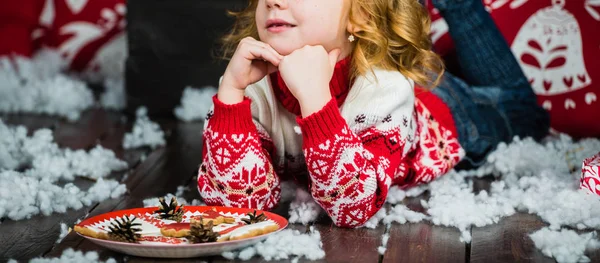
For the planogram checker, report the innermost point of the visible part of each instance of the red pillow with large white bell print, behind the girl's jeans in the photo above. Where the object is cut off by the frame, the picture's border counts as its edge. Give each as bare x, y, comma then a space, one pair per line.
557, 44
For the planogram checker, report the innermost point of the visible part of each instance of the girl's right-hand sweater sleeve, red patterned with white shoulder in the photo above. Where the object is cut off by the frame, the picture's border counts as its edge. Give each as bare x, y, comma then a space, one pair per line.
352, 166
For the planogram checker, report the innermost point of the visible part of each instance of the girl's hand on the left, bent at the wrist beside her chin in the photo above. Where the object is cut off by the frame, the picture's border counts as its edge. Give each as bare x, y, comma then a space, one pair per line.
251, 62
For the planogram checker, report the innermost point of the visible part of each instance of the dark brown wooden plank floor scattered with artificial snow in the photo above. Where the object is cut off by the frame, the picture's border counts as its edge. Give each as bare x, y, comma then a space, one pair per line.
156, 173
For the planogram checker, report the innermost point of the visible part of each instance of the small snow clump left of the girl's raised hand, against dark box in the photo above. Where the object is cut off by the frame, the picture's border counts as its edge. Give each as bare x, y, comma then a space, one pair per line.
195, 103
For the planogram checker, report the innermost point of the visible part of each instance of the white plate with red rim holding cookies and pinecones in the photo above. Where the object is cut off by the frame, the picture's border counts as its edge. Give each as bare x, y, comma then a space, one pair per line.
154, 244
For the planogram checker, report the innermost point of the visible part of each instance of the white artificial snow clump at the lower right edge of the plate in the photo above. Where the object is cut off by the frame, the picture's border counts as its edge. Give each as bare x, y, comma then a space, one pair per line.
285, 244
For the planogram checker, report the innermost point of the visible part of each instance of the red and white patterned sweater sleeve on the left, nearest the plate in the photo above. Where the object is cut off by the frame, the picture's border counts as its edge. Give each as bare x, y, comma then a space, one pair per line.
236, 170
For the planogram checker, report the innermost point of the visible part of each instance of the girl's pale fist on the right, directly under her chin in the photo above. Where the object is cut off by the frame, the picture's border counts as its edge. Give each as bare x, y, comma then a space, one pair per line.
307, 73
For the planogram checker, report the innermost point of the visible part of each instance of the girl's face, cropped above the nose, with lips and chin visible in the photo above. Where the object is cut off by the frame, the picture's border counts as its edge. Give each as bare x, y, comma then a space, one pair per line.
288, 25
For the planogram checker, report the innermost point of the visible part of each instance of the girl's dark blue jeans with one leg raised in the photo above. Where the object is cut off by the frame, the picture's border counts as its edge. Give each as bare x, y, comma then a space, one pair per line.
494, 102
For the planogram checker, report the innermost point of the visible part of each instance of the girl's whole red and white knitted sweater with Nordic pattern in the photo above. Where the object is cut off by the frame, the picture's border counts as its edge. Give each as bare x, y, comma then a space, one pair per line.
366, 139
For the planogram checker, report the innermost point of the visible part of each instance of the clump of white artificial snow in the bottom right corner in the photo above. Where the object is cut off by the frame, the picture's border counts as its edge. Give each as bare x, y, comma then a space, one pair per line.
565, 245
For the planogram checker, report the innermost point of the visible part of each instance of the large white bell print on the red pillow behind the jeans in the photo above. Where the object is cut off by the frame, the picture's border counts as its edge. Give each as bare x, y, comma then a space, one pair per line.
549, 47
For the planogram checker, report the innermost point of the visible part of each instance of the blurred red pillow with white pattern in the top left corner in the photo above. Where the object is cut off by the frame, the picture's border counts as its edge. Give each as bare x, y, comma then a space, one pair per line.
85, 32
